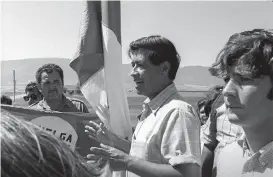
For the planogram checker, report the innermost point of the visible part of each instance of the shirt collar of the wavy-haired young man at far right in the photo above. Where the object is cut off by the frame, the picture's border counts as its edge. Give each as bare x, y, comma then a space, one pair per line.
265, 153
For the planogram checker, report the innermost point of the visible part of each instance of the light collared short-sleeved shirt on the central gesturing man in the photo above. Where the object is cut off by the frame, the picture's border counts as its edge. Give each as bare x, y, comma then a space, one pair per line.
168, 131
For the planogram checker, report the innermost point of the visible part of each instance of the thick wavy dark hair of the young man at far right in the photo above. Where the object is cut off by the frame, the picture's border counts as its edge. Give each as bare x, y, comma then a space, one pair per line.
250, 52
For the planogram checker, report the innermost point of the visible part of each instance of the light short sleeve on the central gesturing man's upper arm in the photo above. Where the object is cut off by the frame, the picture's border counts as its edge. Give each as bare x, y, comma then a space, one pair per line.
181, 138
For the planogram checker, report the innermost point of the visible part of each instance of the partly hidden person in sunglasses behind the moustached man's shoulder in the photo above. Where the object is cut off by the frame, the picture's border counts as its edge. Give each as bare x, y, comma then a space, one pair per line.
33, 94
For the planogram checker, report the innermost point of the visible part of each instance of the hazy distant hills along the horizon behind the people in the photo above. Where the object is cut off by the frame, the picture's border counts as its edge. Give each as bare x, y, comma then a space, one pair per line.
188, 78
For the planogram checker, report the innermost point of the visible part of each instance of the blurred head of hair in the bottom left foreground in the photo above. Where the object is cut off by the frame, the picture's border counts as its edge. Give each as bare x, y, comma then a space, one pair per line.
28, 151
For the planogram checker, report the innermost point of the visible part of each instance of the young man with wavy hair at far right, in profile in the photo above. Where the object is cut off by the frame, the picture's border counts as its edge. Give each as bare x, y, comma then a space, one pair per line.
247, 58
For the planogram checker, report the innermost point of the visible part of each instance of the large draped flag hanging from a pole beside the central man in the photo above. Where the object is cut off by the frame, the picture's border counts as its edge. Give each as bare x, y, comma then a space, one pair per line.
98, 63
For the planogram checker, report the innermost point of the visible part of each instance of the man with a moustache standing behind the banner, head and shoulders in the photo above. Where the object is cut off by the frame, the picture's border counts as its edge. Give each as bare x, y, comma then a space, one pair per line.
50, 80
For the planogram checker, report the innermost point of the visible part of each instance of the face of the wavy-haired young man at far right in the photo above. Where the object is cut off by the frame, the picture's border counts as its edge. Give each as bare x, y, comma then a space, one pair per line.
247, 101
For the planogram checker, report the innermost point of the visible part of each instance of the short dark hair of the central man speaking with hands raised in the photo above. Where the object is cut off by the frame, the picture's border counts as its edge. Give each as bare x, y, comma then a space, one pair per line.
158, 50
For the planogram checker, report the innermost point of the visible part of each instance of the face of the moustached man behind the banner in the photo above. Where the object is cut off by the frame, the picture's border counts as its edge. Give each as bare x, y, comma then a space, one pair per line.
51, 86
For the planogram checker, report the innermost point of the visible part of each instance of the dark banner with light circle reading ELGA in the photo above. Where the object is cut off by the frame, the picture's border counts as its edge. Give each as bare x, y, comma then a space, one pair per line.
69, 127
